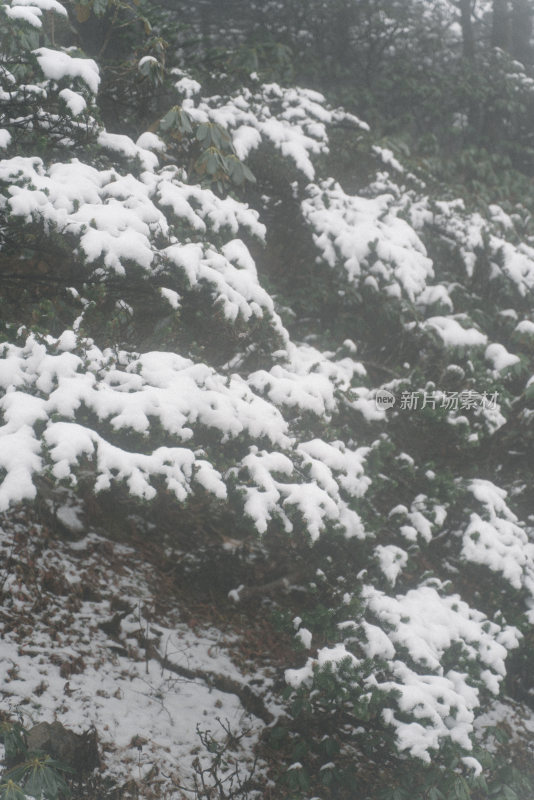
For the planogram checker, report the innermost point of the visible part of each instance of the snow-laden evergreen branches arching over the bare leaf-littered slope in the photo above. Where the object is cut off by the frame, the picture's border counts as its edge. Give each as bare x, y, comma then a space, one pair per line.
164, 368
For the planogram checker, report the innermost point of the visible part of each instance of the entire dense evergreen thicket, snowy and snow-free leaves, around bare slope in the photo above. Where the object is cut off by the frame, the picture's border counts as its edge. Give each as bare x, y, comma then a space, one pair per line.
208, 314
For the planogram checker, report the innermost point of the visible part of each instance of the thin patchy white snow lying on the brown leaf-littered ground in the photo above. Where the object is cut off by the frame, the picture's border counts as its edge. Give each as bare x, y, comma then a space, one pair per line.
83, 682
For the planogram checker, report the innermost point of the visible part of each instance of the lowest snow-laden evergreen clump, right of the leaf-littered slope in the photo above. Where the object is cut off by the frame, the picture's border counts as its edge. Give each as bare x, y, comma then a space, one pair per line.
418, 629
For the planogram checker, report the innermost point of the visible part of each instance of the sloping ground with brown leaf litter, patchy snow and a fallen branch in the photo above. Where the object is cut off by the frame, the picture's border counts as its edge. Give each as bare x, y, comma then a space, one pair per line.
97, 635
